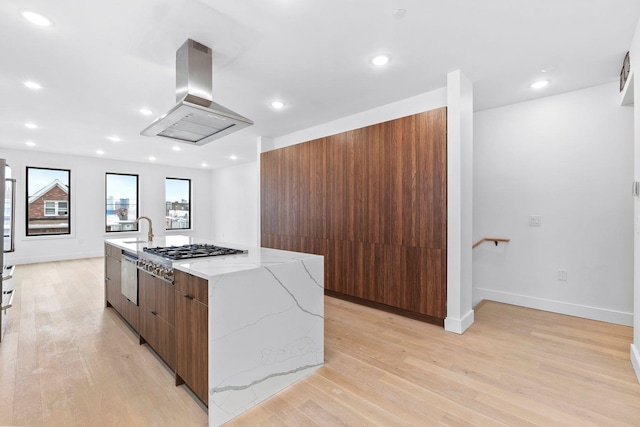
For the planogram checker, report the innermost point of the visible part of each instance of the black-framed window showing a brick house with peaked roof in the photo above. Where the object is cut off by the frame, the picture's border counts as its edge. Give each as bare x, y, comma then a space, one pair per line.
48, 199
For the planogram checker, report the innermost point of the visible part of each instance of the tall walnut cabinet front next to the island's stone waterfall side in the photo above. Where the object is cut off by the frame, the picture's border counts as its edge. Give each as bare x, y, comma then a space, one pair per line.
192, 328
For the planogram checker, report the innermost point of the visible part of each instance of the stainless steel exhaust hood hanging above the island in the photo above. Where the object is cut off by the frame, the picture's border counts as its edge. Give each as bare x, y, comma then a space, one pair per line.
195, 119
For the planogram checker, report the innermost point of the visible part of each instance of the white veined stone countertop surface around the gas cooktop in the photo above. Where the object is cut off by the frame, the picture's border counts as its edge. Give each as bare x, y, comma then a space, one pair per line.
210, 267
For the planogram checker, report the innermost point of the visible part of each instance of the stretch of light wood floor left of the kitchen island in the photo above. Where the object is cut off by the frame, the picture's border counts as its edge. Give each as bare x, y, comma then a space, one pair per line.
66, 360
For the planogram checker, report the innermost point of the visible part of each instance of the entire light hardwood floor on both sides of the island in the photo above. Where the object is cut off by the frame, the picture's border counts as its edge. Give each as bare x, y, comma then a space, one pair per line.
66, 360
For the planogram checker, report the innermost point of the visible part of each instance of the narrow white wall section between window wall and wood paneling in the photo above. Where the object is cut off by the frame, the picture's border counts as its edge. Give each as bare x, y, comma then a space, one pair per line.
234, 207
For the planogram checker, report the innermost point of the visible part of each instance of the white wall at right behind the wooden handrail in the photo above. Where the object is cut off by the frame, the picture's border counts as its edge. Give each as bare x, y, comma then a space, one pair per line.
569, 159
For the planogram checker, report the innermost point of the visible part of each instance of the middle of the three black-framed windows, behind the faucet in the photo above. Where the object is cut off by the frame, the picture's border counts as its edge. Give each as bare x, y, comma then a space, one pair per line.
121, 191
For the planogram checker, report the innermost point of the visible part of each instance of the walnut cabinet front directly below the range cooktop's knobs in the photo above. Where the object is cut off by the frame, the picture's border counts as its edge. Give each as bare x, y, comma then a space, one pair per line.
156, 298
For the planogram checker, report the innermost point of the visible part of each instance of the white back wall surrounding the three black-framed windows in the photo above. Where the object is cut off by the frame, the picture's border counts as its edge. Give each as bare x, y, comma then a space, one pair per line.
88, 203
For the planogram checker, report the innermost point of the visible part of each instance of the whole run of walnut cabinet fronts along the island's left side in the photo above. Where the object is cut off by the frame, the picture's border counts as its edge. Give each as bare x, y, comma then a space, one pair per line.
172, 318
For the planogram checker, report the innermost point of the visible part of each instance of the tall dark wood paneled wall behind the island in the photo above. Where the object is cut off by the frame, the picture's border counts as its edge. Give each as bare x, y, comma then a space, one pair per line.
373, 201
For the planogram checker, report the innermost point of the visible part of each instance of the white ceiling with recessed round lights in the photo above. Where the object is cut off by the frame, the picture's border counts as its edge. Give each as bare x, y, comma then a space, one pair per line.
102, 61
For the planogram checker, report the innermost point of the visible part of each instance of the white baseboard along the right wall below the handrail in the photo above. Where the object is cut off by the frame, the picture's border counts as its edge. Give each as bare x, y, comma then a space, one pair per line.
593, 313
